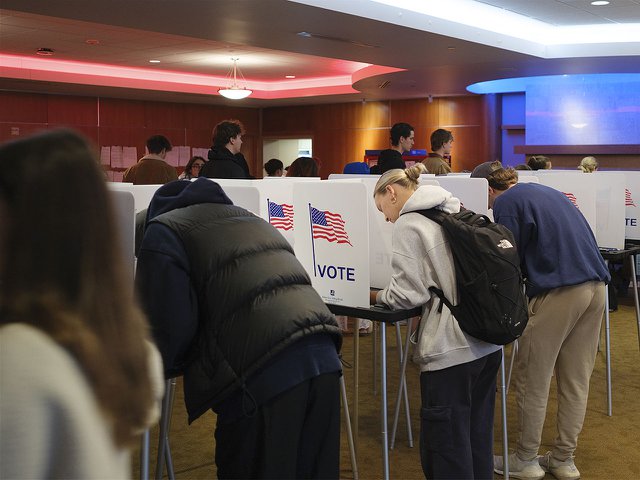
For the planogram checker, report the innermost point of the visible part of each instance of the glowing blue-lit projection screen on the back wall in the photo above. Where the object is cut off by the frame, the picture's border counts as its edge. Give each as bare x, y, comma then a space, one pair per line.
563, 113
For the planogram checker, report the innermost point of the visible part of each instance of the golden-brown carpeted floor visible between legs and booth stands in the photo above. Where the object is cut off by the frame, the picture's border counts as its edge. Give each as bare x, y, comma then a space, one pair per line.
609, 446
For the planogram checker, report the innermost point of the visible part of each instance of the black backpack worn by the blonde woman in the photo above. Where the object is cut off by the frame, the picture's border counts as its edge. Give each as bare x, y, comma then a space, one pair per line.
493, 305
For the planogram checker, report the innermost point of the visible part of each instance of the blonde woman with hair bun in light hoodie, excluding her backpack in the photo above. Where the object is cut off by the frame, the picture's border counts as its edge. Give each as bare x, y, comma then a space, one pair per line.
458, 372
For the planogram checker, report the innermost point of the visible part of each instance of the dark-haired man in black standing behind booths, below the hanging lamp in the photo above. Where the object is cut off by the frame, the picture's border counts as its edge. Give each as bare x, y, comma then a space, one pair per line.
225, 159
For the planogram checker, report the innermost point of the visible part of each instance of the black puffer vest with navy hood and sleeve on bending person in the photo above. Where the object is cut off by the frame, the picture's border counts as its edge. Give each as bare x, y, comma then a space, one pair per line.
253, 297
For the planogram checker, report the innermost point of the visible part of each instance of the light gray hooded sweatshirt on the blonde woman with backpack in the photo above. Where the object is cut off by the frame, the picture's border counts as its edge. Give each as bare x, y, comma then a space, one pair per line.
421, 259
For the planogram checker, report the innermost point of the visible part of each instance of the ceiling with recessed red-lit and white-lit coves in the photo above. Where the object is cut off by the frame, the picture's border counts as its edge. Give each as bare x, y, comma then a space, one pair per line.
350, 49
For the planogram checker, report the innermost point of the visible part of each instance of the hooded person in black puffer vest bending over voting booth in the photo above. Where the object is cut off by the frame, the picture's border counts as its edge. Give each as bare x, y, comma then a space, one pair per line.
233, 310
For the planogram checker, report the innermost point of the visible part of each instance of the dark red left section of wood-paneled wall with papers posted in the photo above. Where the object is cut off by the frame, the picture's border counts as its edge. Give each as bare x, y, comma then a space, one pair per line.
110, 121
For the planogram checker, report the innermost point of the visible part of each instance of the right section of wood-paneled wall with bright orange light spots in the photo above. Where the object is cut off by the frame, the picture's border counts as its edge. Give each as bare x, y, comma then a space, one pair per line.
342, 132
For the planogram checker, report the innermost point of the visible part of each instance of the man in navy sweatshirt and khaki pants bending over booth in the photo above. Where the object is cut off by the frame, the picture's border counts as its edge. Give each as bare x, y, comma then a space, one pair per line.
565, 278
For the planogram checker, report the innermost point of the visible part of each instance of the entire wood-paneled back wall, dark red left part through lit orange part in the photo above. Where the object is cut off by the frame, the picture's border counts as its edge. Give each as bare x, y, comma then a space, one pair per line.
340, 132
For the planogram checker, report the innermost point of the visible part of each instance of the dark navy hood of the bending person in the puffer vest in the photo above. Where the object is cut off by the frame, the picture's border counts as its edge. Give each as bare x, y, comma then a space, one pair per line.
183, 193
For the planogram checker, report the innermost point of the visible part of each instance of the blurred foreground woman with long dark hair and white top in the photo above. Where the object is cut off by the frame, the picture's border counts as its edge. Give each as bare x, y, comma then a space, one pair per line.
76, 368
